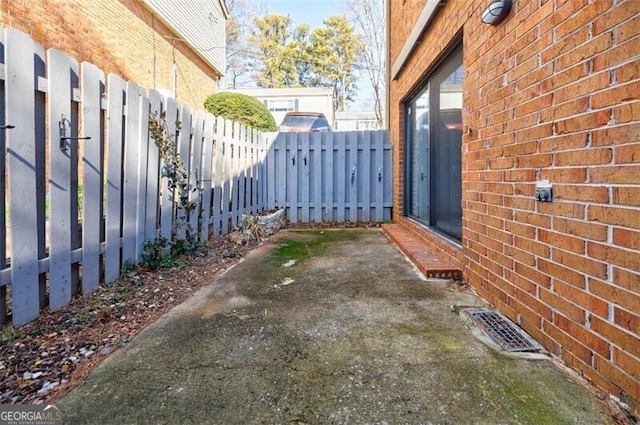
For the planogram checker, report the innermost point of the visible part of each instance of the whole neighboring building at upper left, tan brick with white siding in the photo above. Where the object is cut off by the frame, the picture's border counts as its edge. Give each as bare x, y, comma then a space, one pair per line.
175, 47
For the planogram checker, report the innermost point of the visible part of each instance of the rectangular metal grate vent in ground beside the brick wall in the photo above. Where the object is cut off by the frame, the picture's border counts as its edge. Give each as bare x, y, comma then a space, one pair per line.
503, 331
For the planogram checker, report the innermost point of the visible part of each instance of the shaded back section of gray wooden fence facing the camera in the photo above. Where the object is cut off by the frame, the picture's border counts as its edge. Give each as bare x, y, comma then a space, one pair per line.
335, 176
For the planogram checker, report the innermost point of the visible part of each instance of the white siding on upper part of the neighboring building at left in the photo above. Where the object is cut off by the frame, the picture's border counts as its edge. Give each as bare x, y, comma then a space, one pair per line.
200, 23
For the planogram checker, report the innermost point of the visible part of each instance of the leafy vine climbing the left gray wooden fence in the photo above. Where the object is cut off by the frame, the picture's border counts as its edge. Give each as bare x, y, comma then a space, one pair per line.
161, 252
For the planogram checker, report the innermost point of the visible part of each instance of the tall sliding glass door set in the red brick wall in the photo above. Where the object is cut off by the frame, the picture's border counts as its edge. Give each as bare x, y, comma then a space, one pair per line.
433, 142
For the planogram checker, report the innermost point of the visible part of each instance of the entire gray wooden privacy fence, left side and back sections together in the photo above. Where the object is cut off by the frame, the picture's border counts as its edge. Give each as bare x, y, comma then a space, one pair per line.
82, 184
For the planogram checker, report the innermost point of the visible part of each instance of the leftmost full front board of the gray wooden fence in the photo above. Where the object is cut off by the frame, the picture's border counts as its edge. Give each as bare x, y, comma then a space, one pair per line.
21, 167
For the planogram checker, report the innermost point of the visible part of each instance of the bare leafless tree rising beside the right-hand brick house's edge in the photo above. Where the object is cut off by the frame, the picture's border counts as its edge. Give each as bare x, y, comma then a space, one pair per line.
368, 18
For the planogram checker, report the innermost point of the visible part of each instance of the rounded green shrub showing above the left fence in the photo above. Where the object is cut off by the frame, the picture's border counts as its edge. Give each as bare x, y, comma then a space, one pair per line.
241, 108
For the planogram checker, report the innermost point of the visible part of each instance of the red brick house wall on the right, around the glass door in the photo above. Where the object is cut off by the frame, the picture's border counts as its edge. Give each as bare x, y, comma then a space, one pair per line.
553, 92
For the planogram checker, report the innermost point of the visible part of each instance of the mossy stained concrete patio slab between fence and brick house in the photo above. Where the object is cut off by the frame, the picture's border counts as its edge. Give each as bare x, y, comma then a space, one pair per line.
355, 336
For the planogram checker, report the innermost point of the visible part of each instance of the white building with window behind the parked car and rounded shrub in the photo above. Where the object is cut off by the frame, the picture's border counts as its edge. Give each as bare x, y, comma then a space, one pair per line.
279, 101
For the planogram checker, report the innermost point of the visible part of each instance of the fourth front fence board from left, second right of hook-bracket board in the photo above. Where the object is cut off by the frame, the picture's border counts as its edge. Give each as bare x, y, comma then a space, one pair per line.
114, 186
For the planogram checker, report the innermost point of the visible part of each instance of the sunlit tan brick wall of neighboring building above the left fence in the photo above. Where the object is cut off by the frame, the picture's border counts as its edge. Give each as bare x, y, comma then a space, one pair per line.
119, 36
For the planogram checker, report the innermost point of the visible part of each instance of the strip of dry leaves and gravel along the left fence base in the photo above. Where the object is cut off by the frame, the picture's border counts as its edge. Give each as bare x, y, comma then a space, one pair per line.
46, 358
